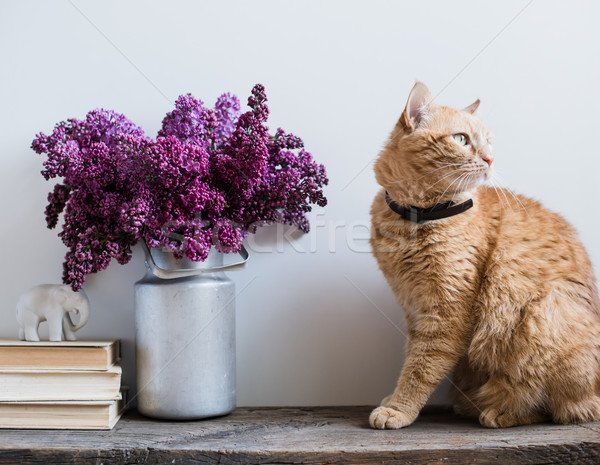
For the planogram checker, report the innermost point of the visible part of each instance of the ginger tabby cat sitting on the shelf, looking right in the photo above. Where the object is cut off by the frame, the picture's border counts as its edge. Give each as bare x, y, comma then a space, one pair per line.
501, 295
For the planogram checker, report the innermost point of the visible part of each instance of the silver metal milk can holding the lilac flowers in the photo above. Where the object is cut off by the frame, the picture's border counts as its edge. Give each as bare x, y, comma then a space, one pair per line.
185, 337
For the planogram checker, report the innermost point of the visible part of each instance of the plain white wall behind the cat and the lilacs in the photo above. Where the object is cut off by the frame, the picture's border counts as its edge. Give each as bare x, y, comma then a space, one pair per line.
316, 323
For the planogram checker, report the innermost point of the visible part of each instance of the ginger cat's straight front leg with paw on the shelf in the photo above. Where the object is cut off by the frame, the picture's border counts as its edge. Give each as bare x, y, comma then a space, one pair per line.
432, 354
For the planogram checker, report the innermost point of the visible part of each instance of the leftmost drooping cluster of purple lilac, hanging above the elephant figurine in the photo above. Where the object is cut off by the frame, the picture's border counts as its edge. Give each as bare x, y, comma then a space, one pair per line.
95, 185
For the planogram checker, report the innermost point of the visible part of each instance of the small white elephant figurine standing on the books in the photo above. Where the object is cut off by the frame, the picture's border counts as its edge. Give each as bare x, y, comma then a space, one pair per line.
52, 303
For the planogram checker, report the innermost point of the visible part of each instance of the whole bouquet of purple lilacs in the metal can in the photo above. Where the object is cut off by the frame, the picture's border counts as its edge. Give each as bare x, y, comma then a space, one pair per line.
211, 177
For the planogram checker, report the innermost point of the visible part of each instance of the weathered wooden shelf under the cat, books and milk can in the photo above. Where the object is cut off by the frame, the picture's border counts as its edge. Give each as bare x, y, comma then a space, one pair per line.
332, 435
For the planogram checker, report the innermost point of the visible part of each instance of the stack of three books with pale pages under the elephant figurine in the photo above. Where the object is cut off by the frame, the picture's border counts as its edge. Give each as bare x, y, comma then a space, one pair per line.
60, 385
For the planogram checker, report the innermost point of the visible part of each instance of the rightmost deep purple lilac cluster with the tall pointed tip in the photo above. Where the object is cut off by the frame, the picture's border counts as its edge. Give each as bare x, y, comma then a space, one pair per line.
265, 181
